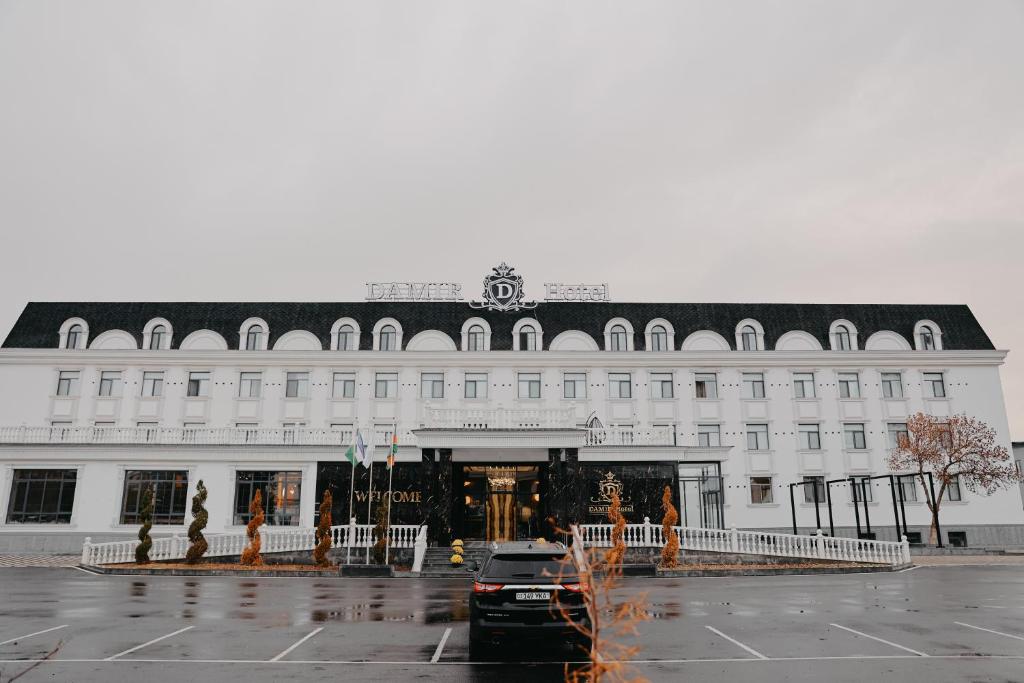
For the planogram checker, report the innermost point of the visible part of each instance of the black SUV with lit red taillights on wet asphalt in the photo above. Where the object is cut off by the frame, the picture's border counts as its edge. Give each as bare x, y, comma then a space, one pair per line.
517, 594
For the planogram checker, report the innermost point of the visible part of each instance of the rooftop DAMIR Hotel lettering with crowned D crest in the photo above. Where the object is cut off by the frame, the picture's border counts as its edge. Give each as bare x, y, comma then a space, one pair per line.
503, 291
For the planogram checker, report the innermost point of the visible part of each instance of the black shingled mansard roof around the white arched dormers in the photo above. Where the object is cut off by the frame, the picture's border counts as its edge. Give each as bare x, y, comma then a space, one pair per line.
39, 324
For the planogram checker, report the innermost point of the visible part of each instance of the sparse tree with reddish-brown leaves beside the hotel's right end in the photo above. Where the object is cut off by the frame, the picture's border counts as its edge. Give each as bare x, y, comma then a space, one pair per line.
958, 450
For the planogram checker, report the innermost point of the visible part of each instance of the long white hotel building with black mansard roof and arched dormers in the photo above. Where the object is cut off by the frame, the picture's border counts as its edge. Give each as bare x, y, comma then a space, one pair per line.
509, 423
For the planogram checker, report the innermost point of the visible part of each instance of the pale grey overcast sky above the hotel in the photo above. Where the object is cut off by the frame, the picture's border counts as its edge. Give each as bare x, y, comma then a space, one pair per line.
823, 152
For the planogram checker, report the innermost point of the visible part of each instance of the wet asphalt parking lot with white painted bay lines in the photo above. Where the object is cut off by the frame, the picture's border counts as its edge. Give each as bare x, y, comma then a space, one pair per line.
930, 624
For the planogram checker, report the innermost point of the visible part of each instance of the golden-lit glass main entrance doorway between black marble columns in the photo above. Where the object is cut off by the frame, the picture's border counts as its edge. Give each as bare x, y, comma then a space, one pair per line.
501, 502
